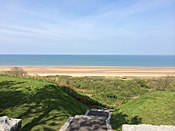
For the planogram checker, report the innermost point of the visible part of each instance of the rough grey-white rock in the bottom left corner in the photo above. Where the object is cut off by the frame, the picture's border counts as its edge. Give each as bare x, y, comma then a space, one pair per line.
9, 124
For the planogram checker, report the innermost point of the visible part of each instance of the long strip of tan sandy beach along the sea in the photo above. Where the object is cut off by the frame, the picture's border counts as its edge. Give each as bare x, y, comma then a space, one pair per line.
95, 70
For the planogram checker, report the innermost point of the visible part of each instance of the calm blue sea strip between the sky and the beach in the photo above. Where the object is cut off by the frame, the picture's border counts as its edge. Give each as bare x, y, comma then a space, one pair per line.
86, 60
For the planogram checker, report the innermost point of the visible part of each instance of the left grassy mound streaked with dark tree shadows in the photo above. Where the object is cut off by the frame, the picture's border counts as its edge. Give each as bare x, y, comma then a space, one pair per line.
40, 104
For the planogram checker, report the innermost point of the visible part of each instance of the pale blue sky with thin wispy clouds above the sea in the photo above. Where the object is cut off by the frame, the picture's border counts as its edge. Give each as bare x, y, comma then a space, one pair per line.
109, 27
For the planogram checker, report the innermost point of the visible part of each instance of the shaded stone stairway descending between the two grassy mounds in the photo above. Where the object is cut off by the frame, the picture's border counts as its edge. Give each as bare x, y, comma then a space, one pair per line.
93, 120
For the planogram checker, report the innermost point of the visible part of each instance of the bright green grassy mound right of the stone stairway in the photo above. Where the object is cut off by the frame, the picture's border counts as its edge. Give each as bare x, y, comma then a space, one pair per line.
157, 108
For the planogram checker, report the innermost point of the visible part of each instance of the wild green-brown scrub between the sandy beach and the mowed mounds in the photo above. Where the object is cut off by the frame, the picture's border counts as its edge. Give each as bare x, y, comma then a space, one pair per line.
112, 92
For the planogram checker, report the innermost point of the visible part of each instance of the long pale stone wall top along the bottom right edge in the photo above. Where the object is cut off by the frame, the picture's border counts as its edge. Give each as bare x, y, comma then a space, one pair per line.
147, 127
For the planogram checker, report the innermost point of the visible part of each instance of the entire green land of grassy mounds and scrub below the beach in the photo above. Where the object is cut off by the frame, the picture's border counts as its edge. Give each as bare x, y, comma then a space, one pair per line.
44, 103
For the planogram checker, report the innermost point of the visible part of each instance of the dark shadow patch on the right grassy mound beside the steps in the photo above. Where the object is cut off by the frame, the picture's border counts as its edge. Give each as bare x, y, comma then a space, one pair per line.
118, 119
